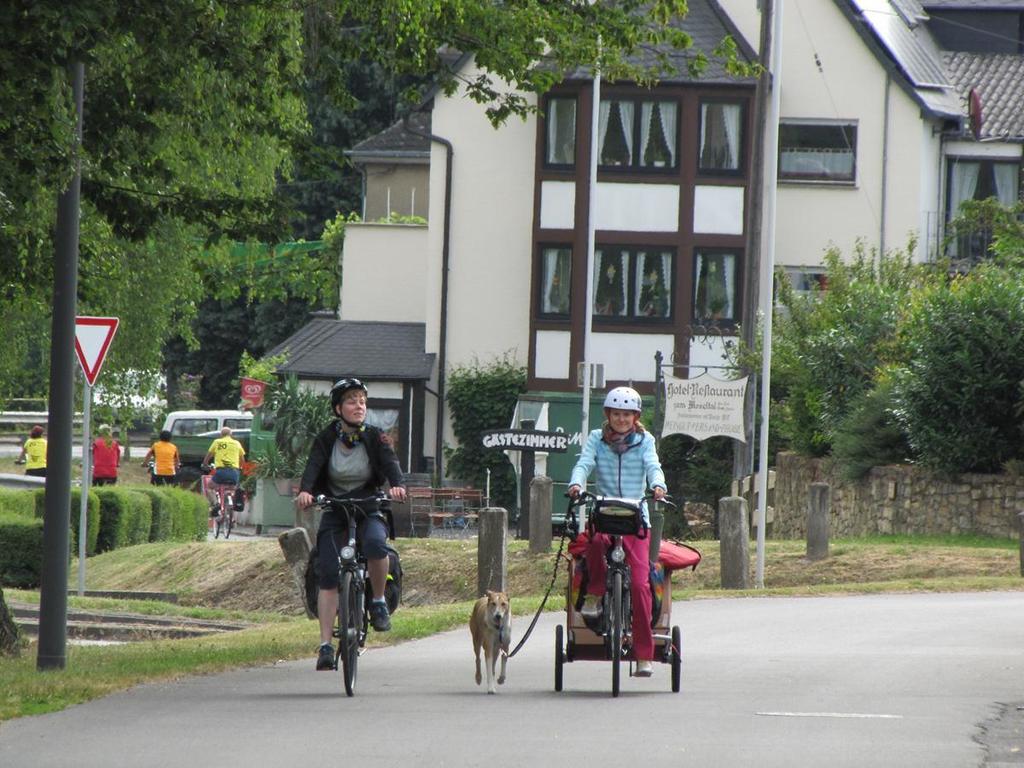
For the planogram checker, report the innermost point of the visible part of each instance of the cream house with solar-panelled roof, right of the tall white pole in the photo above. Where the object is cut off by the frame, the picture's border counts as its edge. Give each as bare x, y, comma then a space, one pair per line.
876, 127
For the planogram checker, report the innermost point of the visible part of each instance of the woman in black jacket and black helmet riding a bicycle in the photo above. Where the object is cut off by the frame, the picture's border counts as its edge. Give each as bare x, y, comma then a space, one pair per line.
350, 459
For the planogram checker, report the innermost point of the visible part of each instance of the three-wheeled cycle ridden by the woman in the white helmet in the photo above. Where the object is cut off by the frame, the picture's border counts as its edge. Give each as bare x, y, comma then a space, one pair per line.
610, 638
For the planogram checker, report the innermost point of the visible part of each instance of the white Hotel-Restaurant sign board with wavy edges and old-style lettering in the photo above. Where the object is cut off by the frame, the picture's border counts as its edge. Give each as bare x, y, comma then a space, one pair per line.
705, 407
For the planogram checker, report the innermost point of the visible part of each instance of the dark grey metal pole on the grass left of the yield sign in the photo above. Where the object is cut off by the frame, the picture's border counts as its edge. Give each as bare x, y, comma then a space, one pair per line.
52, 654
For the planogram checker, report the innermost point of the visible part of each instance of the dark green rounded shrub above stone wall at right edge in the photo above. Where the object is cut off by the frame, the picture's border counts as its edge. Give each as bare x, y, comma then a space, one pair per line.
959, 394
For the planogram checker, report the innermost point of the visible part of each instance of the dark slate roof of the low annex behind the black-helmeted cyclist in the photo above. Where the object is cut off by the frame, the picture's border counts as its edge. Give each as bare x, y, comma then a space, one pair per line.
328, 349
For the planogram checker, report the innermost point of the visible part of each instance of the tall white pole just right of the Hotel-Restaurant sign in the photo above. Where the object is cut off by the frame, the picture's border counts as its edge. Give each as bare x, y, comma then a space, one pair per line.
767, 277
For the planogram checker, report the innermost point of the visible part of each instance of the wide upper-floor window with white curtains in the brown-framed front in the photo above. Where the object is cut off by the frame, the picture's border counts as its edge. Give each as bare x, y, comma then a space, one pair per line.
638, 135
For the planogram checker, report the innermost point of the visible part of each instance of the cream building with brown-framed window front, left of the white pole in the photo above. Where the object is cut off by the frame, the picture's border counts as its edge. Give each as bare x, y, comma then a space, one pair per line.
500, 269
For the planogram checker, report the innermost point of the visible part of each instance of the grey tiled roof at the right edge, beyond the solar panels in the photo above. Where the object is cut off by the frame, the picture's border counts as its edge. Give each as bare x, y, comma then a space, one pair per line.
999, 78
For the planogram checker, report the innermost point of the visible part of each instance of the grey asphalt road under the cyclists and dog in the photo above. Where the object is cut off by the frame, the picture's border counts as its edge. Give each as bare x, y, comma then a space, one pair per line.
895, 680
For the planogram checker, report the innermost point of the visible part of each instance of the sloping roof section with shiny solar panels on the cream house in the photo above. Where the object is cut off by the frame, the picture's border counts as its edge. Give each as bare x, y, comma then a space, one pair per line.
894, 31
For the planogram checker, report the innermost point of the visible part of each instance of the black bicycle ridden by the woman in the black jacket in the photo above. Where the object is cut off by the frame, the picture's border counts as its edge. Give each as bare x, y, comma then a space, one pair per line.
353, 622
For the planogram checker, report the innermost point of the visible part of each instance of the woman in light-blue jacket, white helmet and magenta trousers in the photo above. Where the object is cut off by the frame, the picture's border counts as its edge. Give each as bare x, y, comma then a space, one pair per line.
627, 464
